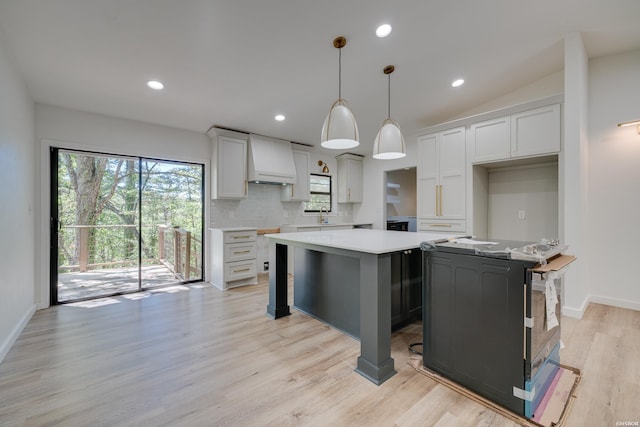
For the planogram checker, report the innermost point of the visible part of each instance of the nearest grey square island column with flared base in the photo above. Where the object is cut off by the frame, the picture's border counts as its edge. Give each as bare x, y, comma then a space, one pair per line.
375, 362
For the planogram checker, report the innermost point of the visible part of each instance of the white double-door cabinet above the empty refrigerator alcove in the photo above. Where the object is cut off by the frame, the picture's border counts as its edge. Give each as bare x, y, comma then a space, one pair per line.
529, 133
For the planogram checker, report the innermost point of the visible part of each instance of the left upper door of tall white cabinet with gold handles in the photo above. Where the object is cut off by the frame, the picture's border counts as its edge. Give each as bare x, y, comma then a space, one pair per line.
427, 173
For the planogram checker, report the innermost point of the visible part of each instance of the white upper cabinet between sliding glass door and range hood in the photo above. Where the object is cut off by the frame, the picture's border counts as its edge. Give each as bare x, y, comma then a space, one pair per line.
228, 166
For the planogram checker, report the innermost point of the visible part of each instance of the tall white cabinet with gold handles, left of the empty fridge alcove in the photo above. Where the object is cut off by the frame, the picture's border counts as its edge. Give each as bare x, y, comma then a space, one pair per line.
441, 180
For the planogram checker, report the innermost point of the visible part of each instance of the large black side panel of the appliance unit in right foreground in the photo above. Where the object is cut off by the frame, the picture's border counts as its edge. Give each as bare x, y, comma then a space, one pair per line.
473, 329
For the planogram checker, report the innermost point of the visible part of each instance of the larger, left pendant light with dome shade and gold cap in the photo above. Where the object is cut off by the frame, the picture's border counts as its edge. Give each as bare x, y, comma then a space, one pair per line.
340, 130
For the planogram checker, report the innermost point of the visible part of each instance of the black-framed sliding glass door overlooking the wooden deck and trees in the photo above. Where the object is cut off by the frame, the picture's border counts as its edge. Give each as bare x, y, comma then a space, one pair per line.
121, 224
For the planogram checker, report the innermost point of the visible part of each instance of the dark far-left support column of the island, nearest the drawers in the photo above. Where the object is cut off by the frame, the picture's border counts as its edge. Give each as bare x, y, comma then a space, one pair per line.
278, 282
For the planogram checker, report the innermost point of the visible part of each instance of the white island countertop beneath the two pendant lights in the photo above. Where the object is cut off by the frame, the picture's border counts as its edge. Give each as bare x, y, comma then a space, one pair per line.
362, 240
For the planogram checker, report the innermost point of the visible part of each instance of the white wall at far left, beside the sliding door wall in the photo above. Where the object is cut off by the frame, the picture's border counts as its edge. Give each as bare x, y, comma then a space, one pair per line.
17, 189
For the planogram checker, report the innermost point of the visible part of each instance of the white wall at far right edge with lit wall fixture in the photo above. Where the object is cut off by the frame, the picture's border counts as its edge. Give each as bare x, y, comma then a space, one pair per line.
614, 180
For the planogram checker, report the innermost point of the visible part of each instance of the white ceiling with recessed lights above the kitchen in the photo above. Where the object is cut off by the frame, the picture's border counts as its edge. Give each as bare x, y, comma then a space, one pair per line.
237, 63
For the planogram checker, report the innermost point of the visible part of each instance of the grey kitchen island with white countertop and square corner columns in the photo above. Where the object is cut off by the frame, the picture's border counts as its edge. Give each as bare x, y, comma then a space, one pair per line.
355, 262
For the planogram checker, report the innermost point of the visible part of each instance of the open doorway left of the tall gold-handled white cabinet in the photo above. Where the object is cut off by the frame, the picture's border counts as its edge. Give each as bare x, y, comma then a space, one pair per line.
400, 193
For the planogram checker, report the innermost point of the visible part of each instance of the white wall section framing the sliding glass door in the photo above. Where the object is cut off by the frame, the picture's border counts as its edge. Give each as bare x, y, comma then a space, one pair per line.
72, 129
